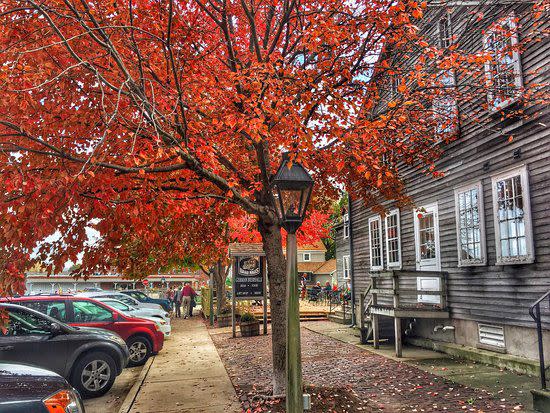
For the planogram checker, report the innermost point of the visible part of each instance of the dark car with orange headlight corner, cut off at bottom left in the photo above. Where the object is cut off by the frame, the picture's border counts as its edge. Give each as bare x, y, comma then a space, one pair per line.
25, 389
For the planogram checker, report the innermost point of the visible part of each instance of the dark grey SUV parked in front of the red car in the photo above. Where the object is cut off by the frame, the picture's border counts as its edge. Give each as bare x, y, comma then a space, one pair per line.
89, 358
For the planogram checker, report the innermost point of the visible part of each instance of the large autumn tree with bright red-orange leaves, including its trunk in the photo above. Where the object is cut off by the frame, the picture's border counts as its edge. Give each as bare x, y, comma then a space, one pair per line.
158, 118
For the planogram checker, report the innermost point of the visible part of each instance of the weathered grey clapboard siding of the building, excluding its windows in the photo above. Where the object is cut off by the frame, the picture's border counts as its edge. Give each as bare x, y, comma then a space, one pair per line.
490, 293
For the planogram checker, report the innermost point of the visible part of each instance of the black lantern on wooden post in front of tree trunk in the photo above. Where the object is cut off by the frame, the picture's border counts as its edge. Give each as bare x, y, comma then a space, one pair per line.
292, 187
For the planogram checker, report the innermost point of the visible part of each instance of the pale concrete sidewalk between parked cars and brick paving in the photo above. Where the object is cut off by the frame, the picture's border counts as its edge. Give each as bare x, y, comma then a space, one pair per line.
186, 376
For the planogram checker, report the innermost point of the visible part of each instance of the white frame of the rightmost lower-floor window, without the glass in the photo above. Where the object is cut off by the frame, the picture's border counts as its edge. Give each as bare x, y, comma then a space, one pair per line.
524, 179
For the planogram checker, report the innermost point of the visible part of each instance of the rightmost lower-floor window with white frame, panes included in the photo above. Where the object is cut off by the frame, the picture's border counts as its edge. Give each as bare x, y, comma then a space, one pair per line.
512, 214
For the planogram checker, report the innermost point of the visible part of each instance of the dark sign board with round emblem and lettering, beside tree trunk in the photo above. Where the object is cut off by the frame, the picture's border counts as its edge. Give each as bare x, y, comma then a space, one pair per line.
249, 278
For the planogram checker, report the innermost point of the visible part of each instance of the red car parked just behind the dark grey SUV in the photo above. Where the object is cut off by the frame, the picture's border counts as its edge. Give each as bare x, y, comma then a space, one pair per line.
142, 337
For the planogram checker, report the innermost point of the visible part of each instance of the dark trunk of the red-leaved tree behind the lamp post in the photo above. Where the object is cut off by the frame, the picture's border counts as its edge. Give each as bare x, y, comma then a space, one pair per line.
276, 268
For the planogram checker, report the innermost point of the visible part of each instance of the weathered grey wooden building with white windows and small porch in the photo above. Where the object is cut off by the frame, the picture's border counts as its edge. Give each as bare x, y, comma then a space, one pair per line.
466, 261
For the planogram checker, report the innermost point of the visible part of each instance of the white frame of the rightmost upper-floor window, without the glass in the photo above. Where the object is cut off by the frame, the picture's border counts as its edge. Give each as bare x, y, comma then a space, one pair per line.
518, 78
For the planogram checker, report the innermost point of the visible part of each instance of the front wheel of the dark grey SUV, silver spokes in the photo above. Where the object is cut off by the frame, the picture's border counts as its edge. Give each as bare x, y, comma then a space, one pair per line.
94, 374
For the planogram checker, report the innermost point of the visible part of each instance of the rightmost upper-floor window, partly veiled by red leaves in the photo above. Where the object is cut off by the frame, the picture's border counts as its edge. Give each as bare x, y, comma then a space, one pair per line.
503, 71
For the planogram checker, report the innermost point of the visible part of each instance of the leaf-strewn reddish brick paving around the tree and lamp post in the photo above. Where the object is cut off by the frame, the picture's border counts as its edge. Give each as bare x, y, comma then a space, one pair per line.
344, 378
